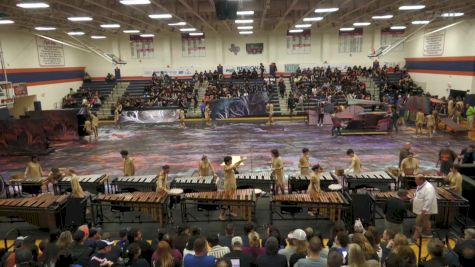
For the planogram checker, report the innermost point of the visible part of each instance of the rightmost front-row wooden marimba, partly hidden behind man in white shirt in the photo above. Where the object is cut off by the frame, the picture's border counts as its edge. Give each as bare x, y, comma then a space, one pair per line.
449, 205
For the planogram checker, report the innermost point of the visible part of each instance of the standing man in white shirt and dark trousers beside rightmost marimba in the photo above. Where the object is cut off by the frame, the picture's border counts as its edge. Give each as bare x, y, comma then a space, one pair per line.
424, 204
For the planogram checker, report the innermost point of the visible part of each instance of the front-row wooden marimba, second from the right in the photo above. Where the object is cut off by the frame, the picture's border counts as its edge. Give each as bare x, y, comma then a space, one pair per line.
331, 205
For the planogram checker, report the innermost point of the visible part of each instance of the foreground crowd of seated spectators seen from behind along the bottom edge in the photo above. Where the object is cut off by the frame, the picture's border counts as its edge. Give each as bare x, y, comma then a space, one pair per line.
191, 248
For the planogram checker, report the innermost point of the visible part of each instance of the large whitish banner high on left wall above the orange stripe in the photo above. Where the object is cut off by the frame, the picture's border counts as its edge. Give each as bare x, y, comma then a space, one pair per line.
49, 53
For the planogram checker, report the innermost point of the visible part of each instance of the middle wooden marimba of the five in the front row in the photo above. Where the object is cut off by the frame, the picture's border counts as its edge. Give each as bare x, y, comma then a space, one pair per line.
244, 200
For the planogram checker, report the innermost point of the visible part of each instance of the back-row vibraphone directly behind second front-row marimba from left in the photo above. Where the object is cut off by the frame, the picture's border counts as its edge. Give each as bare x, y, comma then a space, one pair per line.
145, 183
